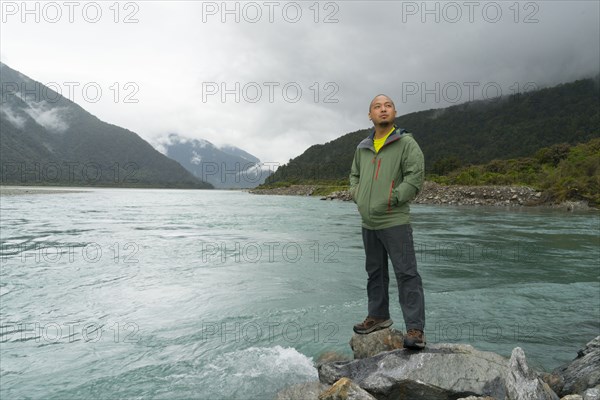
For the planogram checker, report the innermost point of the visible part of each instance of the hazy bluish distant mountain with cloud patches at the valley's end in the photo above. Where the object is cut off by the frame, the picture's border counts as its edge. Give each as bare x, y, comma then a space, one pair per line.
226, 167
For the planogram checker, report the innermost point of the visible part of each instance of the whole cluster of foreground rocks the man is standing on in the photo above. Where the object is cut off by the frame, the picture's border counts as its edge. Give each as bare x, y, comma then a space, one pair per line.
383, 370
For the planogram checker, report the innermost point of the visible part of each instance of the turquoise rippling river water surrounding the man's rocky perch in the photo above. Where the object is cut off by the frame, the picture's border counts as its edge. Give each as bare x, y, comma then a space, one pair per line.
131, 293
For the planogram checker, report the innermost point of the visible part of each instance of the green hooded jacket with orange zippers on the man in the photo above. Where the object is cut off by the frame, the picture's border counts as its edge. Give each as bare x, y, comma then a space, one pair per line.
382, 184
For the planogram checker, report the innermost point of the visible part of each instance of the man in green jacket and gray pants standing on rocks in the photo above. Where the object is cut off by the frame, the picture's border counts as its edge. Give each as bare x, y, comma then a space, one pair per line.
387, 173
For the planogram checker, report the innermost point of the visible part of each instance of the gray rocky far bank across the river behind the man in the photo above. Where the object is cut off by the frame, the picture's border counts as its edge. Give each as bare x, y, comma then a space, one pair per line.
459, 195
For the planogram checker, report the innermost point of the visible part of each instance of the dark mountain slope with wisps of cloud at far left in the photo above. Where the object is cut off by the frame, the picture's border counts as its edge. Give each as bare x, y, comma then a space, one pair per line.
46, 139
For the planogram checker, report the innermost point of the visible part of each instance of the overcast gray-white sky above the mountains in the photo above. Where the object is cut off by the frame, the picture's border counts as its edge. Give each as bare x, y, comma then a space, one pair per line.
276, 77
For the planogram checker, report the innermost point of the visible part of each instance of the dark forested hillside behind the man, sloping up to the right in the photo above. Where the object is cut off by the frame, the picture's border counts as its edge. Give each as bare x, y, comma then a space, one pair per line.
470, 133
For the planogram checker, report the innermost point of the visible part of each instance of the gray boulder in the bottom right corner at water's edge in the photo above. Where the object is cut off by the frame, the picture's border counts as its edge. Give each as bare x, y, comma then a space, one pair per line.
583, 372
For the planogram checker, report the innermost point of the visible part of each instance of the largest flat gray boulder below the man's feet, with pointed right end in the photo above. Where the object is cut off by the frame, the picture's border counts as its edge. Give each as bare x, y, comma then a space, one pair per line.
442, 372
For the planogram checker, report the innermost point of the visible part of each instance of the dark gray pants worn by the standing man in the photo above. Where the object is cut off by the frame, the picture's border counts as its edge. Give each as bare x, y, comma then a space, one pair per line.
397, 242
